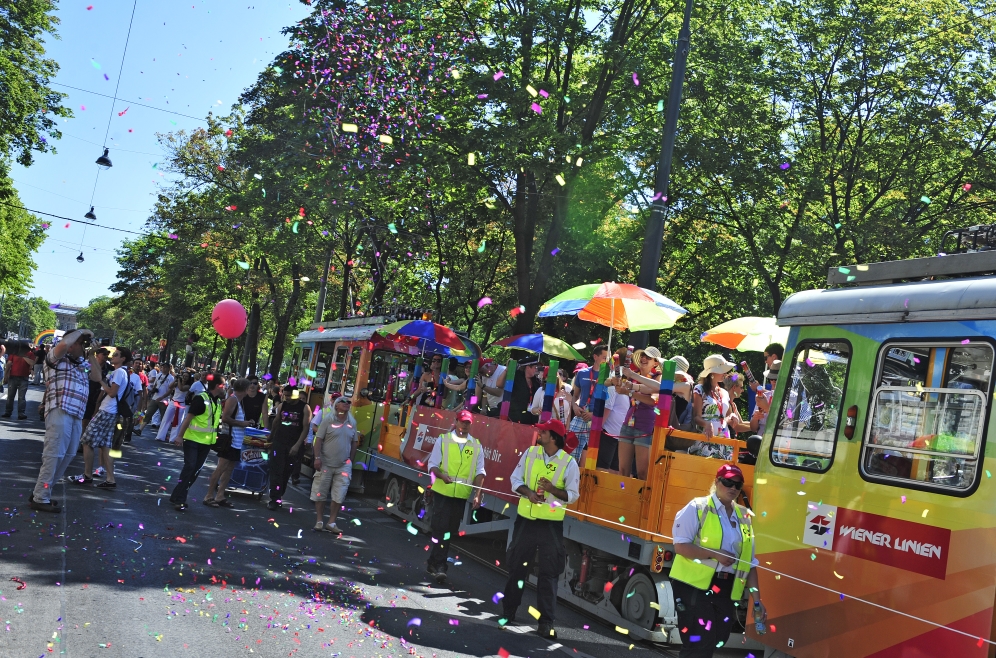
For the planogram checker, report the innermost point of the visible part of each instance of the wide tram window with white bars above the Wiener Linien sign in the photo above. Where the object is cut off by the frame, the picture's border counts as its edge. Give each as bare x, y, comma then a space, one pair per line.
926, 424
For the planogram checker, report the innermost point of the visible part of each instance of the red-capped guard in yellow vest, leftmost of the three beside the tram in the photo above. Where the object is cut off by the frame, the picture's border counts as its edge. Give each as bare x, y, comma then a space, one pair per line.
457, 459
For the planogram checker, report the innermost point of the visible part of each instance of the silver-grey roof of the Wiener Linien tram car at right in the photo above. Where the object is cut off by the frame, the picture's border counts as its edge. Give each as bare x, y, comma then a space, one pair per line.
920, 301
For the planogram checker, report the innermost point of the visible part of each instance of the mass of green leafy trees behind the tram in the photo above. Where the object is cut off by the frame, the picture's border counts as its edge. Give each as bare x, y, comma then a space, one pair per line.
478, 157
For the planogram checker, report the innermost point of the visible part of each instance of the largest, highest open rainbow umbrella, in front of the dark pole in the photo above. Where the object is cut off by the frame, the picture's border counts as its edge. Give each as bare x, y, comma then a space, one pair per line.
616, 306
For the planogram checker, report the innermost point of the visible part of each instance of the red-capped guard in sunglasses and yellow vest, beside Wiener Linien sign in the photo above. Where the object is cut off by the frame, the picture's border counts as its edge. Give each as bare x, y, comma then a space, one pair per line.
715, 562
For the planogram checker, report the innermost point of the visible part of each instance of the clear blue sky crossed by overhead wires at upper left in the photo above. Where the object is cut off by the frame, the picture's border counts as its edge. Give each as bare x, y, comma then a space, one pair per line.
186, 57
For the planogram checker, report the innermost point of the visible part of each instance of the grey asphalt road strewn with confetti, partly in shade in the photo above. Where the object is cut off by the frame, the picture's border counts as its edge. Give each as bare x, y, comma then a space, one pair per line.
121, 573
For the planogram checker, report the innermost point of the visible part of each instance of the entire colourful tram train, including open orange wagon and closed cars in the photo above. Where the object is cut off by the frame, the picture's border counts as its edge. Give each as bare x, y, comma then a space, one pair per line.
872, 490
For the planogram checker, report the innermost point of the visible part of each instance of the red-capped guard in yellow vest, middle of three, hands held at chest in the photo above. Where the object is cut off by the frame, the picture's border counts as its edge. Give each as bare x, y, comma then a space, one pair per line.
546, 479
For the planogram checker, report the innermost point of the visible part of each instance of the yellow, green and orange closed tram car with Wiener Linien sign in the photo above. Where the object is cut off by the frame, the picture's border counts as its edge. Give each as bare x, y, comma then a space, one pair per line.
875, 525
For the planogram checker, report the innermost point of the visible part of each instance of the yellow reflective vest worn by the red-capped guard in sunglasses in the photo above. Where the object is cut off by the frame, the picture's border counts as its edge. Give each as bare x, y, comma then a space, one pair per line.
699, 573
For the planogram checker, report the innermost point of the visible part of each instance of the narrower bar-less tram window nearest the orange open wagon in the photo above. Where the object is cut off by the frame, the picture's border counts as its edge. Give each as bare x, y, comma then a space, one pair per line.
812, 386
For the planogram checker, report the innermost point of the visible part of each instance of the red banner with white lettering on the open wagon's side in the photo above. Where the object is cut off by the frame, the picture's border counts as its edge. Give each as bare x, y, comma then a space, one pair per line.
503, 443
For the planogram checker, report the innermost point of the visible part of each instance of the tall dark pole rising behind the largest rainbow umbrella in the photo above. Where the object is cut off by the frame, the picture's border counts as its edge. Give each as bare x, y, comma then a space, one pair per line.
653, 240
